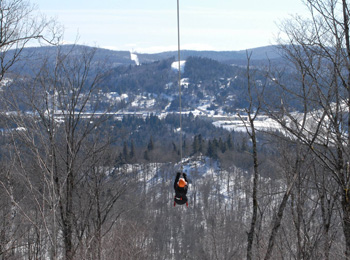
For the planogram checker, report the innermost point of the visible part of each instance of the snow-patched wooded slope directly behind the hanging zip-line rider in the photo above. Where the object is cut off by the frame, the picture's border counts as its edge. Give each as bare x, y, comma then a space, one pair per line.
229, 187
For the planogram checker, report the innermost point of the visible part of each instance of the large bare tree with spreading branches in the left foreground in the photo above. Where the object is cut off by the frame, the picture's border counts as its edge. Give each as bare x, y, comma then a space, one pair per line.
75, 185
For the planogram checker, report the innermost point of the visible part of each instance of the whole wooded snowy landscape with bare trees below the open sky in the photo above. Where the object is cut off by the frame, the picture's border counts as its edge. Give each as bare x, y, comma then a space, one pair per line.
79, 181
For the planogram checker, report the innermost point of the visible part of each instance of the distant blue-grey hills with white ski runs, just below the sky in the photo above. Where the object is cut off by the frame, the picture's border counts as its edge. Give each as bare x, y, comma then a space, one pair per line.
213, 81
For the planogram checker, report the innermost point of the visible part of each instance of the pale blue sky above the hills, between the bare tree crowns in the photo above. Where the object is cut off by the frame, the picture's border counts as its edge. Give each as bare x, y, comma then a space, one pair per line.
150, 25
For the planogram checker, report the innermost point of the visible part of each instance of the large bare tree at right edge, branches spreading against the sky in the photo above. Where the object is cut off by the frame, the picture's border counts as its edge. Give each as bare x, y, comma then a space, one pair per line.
318, 49
